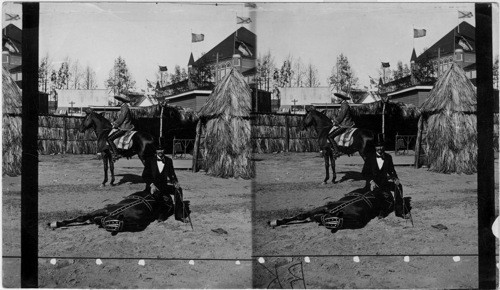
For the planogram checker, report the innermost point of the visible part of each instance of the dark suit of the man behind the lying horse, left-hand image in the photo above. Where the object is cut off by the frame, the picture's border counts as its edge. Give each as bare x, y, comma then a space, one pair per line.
164, 181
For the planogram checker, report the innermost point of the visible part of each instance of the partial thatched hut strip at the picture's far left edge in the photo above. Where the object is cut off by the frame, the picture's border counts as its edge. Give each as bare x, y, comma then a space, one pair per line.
11, 126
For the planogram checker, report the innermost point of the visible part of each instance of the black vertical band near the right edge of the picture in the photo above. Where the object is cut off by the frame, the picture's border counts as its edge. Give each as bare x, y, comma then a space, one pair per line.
485, 162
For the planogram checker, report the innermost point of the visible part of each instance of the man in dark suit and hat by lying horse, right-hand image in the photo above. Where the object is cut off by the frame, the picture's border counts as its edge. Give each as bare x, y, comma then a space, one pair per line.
380, 174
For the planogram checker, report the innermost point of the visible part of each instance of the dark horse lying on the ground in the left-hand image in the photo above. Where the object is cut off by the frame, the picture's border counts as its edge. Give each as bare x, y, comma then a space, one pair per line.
133, 214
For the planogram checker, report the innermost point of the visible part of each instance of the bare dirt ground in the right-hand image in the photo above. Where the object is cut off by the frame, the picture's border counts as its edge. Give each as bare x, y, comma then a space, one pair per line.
308, 255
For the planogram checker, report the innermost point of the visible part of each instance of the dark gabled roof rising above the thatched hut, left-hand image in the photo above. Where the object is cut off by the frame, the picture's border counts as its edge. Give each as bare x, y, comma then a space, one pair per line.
242, 42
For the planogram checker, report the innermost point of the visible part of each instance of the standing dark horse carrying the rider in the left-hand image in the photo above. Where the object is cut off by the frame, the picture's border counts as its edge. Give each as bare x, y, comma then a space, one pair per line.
142, 143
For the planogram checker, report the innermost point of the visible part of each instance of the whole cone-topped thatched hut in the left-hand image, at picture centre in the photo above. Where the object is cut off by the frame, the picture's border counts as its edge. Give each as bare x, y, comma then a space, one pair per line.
226, 119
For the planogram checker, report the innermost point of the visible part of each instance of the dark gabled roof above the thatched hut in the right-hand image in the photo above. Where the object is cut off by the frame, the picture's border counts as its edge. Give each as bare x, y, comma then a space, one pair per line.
451, 41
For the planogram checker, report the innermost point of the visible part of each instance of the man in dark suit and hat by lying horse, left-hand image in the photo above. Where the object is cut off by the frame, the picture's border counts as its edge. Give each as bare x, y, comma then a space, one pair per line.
160, 178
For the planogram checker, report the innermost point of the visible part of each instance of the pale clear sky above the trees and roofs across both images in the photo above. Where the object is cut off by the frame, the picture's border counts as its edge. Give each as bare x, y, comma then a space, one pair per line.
147, 35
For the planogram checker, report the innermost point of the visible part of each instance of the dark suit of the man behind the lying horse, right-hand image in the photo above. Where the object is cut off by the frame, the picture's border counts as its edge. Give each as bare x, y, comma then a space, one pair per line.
381, 176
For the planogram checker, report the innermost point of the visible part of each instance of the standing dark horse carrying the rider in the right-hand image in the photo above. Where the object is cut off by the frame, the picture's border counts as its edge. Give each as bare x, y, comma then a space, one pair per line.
362, 140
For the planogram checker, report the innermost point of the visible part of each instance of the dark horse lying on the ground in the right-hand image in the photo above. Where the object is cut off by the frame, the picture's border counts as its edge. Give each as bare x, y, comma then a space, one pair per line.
353, 211
